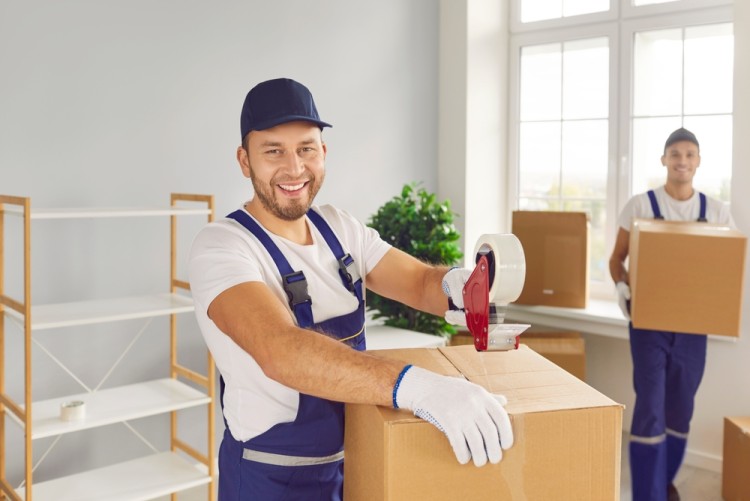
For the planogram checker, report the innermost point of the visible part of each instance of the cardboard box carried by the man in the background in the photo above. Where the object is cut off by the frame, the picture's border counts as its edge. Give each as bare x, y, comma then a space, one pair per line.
686, 277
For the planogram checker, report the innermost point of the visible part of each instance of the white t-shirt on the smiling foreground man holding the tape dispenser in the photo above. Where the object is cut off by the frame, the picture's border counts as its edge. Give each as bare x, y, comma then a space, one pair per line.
225, 254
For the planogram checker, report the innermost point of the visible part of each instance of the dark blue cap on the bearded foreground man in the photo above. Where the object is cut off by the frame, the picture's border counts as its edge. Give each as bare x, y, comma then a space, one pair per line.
275, 102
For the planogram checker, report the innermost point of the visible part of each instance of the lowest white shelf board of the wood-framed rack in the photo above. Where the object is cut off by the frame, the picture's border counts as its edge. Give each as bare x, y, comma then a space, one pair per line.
137, 480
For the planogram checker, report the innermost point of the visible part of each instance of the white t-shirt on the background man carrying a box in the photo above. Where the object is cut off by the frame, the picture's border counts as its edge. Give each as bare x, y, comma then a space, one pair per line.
639, 207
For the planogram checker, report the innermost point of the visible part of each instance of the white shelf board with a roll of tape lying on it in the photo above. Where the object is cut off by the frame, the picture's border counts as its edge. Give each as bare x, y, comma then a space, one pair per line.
113, 405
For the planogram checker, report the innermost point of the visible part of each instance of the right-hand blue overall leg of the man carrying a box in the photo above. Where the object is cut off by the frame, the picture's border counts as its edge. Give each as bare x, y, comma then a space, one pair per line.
684, 374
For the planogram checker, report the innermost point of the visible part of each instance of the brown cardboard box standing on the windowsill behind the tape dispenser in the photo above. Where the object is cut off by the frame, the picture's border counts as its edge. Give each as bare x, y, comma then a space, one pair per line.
556, 246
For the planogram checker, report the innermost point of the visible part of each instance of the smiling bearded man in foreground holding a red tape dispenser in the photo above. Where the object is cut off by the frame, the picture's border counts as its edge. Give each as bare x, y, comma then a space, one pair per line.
279, 288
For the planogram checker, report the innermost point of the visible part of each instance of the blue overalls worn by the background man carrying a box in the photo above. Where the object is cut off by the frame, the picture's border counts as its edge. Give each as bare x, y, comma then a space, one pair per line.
667, 370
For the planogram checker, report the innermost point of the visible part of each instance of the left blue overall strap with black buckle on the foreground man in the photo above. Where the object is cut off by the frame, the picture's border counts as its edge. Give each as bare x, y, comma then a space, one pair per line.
294, 282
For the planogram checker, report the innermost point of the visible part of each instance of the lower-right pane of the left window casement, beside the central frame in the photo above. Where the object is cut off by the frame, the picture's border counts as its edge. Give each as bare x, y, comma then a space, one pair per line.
584, 159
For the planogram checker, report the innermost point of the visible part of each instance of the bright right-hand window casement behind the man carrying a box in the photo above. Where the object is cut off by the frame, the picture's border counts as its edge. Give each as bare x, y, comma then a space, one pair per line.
683, 78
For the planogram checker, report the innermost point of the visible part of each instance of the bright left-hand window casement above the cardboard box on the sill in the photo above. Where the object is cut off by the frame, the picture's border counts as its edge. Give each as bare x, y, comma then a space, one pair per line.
564, 130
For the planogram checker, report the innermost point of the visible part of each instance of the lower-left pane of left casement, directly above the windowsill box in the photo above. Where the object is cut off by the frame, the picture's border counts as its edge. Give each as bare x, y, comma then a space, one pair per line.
539, 164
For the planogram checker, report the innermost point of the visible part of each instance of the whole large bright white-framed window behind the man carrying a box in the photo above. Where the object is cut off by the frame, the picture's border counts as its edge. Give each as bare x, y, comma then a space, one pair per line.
597, 91
